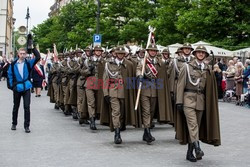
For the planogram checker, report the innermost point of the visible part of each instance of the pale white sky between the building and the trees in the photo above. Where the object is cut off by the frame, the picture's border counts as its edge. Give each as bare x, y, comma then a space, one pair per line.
39, 10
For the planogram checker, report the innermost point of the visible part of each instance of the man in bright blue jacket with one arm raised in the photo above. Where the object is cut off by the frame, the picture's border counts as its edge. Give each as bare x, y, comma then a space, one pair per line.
19, 82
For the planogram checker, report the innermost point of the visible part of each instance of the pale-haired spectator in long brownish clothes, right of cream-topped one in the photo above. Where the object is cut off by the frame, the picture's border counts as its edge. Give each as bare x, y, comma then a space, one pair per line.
239, 81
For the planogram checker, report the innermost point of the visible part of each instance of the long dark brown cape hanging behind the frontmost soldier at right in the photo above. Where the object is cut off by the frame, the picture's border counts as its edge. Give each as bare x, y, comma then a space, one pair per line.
209, 131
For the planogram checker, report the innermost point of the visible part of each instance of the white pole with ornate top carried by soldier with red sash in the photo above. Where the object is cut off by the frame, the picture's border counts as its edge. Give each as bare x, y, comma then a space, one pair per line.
151, 31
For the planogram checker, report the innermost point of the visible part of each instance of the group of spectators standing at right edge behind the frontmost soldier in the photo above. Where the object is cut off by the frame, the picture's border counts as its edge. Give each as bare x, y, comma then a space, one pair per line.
233, 80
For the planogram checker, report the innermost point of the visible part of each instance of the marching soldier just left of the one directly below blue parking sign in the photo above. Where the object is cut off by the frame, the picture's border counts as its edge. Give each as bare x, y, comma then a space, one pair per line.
81, 94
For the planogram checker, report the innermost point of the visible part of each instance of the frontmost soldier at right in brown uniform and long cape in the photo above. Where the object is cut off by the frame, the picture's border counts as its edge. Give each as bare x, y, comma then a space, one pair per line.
197, 99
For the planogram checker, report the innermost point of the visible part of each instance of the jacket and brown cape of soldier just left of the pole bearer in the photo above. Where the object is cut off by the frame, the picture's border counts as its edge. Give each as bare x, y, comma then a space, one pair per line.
125, 71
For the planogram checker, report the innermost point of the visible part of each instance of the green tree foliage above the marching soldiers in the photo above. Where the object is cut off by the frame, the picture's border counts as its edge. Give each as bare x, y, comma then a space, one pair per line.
224, 23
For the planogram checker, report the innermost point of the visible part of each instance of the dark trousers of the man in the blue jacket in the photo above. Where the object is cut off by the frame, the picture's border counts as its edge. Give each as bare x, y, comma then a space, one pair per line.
26, 105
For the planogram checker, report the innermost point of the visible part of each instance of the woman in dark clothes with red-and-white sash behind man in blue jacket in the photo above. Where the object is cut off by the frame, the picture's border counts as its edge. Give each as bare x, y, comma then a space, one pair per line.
38, 77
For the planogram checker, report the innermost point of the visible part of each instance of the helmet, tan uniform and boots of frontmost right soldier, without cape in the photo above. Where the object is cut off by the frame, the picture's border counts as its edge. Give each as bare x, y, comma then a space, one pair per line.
191, 90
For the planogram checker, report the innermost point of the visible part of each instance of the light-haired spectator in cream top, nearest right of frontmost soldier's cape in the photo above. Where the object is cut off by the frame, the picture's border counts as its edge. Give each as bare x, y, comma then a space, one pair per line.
230, 75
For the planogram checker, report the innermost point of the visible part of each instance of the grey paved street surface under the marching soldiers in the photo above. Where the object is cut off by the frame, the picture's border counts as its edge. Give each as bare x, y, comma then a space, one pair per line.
59, 141
